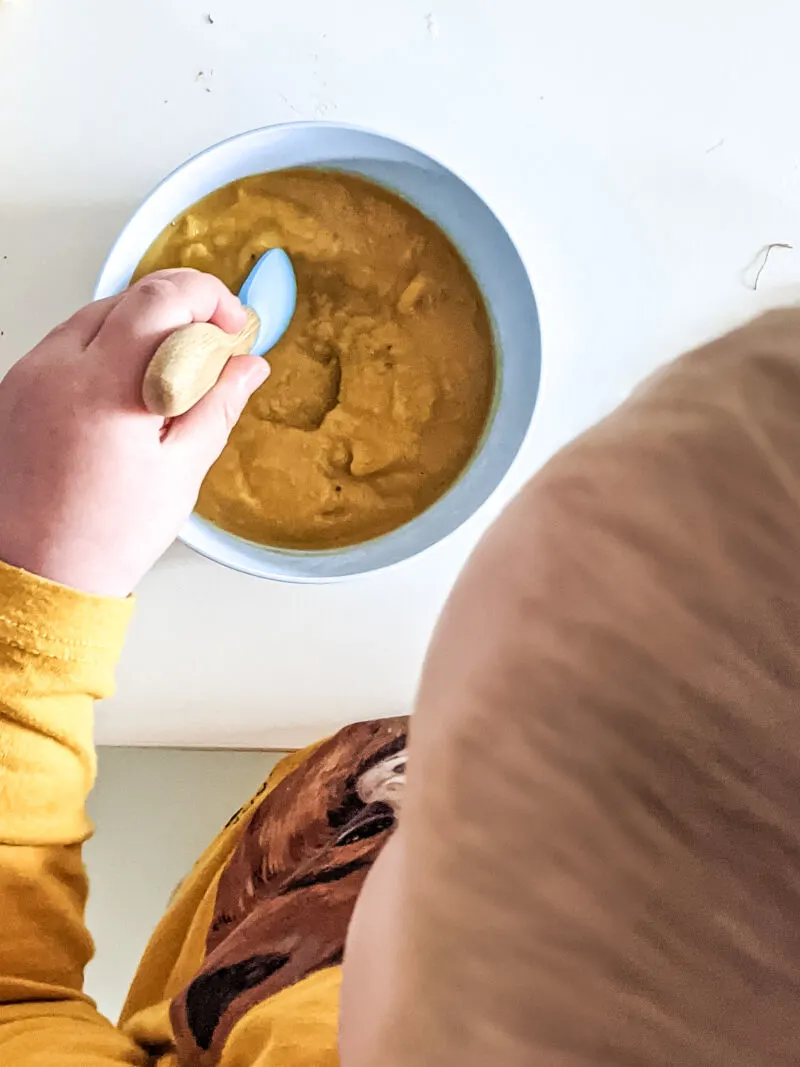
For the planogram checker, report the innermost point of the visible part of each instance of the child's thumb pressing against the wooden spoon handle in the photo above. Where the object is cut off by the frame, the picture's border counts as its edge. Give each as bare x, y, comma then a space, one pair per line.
207, 426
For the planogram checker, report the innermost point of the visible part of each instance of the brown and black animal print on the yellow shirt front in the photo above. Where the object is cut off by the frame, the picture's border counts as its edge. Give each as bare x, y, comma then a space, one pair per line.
285, 900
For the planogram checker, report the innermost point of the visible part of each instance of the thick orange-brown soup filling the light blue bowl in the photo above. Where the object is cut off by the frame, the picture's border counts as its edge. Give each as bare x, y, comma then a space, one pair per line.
380, 389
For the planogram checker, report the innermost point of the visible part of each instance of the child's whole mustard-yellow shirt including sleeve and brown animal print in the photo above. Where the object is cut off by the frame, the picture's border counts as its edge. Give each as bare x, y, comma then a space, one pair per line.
58, 651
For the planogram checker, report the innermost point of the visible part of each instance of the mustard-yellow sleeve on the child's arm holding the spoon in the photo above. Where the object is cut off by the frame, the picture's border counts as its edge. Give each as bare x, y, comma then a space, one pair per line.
58, 651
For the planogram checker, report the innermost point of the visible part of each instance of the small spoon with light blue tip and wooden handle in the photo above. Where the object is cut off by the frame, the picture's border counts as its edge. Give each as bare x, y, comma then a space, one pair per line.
187, 365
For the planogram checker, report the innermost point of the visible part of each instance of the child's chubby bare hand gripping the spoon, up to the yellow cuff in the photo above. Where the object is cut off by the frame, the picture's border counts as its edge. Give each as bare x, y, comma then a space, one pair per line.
93, 488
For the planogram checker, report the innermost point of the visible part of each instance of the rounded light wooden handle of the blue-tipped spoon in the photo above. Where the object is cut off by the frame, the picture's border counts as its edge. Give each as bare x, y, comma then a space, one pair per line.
187, 365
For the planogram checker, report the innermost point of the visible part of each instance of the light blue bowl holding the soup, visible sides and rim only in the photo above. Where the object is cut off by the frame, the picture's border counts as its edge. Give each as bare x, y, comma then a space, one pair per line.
484, 244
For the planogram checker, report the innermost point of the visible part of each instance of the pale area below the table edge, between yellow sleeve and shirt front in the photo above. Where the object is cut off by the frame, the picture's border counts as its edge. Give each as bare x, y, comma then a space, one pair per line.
155, 811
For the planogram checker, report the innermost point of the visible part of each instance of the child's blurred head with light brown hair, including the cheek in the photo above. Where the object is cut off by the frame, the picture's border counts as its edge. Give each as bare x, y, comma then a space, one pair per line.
599, 855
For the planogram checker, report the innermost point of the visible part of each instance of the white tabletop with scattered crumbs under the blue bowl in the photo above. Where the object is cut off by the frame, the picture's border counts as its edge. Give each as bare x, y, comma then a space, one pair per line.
642, 153
